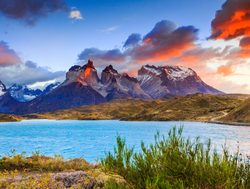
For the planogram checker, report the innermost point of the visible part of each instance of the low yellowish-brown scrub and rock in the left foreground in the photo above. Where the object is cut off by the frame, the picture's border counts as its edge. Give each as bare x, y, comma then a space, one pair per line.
41, 172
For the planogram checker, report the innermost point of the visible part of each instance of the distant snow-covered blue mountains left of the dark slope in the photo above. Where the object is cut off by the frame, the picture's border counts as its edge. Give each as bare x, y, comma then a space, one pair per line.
22, 93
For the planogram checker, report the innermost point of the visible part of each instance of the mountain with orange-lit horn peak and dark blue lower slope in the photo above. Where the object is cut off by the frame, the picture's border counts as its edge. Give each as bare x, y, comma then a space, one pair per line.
78, 89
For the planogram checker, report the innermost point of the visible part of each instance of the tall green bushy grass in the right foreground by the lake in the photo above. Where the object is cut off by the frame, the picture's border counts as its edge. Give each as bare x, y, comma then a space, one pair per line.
175, 162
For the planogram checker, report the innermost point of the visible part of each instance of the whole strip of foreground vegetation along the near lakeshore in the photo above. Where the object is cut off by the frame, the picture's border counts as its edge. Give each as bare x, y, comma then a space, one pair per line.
171, 162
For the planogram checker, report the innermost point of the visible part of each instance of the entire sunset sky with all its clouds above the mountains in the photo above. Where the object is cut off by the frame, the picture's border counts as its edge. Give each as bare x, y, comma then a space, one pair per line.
42, 39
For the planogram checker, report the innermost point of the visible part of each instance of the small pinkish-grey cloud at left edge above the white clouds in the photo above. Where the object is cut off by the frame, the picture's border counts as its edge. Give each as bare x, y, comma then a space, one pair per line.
7, 56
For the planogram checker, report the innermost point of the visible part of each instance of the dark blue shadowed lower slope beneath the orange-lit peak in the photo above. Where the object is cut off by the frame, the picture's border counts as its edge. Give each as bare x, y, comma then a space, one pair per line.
72, 95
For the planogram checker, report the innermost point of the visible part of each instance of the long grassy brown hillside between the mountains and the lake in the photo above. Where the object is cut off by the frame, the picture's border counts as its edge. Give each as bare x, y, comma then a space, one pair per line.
198, 107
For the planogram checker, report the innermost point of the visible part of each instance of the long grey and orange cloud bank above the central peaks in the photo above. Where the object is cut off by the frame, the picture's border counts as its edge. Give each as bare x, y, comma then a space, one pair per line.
163, 42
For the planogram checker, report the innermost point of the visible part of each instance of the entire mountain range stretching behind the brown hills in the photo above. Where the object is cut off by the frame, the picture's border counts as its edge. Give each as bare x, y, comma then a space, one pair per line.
82, 86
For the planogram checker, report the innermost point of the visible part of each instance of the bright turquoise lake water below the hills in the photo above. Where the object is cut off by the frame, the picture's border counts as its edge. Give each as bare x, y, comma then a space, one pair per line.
91, 139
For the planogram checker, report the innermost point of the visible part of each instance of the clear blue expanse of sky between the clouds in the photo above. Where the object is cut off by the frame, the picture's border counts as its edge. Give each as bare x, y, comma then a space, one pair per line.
55, 41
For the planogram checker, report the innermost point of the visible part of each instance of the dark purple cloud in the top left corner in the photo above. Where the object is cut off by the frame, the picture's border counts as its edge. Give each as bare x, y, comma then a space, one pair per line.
29, 11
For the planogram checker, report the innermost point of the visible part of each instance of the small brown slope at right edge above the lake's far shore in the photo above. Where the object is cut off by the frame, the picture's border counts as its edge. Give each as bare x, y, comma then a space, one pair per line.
240, 114
